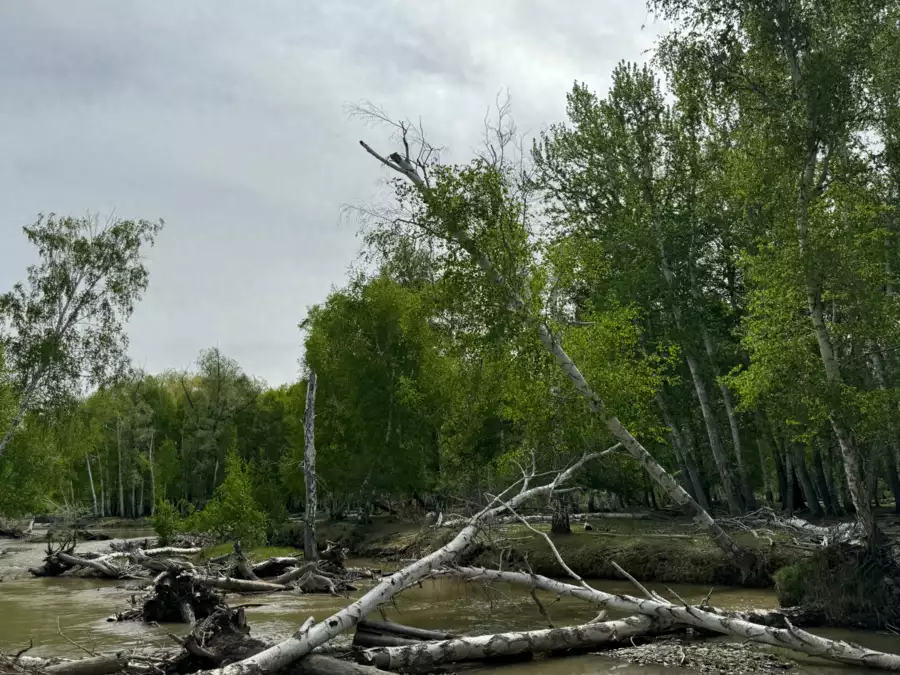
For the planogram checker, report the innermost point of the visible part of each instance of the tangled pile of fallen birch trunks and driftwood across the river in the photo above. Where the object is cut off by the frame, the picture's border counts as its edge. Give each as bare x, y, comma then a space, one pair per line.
219, 640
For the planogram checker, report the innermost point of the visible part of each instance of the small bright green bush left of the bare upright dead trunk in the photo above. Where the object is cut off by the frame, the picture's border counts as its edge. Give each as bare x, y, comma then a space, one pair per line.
233, 514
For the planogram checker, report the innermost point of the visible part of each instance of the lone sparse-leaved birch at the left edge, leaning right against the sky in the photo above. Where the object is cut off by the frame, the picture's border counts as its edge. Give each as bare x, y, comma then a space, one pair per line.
65, 323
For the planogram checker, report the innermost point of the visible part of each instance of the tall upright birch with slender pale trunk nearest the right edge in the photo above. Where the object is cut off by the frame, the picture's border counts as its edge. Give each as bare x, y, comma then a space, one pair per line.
799, 74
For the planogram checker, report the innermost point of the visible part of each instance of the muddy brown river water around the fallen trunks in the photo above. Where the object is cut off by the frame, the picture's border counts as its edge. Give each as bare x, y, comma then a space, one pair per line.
53, 612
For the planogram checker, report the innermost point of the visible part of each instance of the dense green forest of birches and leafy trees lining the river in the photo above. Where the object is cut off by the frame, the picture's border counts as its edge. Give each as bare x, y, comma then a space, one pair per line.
708, 251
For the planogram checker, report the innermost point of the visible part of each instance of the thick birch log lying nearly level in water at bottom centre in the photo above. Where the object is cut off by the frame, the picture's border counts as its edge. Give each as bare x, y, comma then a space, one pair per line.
424, 656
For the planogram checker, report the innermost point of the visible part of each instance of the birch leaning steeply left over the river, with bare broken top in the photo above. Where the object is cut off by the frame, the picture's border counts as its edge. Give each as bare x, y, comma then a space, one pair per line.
477, 210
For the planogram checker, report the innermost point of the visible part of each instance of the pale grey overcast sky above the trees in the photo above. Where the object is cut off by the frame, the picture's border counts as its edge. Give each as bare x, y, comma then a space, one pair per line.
227, 119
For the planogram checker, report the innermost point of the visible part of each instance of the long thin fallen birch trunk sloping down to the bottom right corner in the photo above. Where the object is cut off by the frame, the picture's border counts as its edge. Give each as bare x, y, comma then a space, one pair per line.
788, 637
